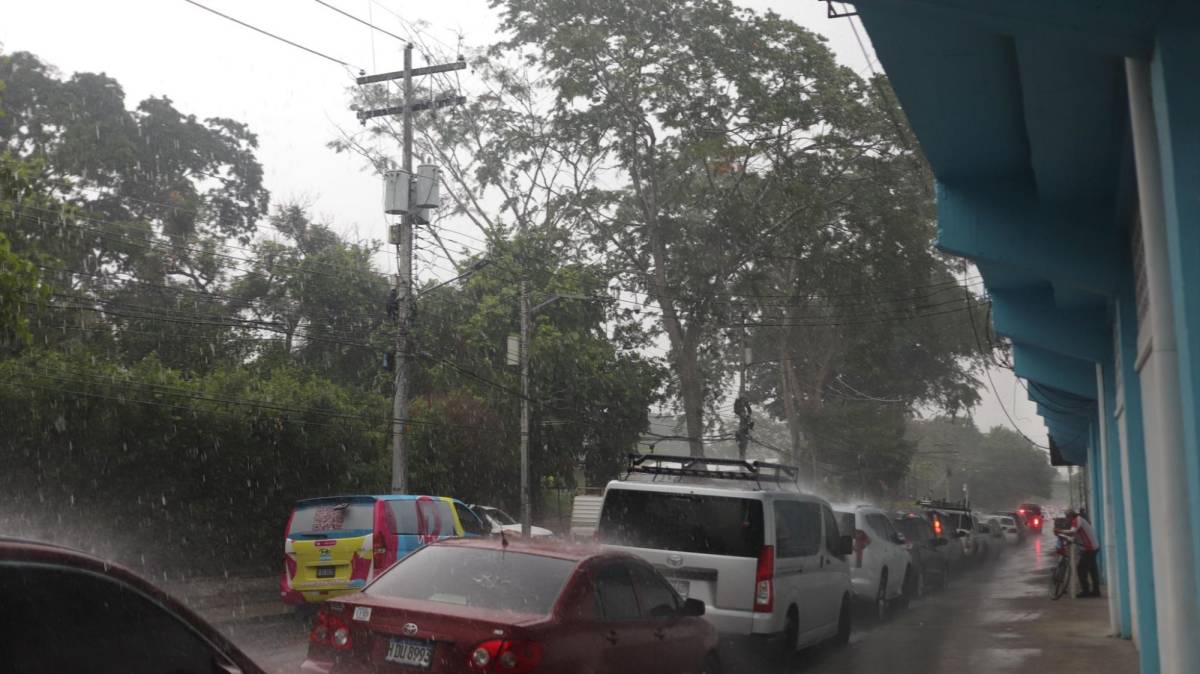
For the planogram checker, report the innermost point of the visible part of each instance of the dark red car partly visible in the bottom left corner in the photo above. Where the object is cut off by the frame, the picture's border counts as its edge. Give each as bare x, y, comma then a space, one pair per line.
70, 612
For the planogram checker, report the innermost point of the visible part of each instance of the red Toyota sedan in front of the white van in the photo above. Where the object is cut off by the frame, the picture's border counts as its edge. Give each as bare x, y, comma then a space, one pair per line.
514, 607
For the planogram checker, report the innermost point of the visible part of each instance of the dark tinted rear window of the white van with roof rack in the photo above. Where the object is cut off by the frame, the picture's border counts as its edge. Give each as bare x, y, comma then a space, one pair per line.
692, 523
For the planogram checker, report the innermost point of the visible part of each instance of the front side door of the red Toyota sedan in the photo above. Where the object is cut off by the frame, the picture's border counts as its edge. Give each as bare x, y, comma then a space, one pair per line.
674, 646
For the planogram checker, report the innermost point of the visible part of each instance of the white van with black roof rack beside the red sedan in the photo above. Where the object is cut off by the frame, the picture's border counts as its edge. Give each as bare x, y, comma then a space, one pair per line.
766, 559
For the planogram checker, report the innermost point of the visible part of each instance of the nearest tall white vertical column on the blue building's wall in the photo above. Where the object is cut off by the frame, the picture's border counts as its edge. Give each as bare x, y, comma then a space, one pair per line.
1179, 615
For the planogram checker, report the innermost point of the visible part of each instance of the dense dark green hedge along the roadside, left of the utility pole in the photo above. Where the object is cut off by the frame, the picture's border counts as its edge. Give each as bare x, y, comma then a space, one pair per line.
176, 465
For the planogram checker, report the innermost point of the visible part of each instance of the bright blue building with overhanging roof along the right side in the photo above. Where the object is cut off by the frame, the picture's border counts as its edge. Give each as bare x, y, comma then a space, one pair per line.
1065, 139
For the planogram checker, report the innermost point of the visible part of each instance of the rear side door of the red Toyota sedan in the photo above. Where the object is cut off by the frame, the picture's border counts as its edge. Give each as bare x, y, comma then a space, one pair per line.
623, 639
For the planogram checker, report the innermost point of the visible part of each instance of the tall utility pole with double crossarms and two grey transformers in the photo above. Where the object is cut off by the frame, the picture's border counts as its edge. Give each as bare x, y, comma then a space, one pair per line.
405, 204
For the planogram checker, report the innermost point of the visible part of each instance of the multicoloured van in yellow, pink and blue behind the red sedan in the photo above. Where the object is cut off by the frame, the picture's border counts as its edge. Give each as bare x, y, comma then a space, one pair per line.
337, 545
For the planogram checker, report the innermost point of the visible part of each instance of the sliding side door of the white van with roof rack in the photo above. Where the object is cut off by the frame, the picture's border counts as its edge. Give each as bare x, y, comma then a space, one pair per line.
799, 563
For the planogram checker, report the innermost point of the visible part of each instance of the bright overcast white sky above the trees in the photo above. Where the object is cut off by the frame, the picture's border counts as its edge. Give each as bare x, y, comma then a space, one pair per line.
296, 101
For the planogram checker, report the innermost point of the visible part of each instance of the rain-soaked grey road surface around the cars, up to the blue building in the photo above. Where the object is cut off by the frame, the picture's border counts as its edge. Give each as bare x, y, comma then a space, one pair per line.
994, 621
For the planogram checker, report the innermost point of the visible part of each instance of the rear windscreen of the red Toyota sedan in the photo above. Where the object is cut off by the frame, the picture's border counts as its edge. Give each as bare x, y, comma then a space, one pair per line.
484, 579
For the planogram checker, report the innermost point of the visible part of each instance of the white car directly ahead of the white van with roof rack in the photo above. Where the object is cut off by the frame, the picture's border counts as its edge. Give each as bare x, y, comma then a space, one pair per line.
881, 570
